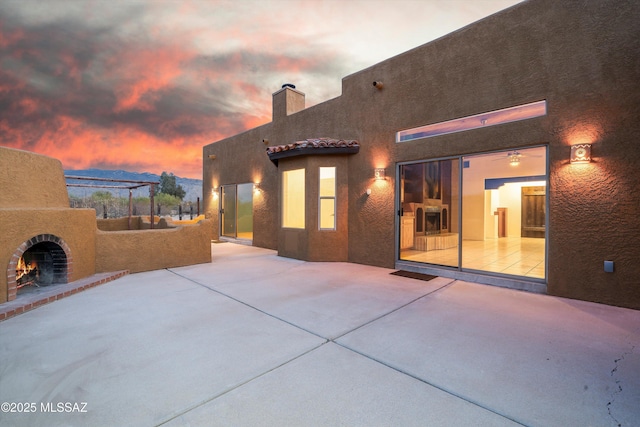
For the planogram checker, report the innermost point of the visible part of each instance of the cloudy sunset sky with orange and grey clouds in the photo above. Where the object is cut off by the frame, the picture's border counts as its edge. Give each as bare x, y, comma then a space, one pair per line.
143, 85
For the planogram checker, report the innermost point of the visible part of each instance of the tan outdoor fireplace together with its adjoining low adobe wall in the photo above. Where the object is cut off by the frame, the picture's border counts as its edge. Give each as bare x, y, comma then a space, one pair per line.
43, 241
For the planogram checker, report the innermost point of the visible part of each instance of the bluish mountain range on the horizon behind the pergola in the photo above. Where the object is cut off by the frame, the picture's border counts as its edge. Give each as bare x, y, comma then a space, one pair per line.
192, 187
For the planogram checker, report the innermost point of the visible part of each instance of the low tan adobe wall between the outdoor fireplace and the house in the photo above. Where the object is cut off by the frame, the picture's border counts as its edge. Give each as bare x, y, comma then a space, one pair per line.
145, 250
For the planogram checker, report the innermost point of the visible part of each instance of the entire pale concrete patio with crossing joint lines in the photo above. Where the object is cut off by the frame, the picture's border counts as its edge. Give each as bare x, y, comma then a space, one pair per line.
253, 339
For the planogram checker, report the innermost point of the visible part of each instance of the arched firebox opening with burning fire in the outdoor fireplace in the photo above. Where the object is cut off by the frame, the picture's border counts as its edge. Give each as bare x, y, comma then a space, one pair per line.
43, 264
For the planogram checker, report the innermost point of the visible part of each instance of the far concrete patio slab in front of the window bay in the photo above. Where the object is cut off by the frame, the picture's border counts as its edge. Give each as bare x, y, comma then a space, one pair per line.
326, 299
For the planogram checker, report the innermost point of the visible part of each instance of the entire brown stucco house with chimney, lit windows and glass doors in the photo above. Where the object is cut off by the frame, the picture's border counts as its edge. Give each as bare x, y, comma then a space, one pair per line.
504, 153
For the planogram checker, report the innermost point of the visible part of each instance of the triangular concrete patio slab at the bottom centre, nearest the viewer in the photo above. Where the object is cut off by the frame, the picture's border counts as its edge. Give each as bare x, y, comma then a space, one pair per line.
332, 386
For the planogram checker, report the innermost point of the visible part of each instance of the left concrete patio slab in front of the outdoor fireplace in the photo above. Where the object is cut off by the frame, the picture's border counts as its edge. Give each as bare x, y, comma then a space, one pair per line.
137, 351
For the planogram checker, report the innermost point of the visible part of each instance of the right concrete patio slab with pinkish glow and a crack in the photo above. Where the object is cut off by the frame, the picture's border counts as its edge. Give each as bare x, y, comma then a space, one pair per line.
536, 359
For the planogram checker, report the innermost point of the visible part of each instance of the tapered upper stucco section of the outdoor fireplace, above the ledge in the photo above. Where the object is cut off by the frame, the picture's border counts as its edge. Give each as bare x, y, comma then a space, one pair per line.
31, 180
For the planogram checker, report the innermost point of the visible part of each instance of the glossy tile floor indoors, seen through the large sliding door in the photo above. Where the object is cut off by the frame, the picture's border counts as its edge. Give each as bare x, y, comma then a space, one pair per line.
519, 256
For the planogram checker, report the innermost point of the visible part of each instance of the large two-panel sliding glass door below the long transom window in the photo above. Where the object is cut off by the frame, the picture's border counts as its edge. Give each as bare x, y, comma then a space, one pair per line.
484, 212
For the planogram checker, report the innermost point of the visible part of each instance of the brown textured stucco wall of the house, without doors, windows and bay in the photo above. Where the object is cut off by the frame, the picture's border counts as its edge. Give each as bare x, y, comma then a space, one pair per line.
581, 57
